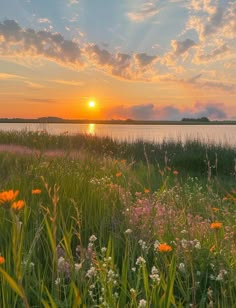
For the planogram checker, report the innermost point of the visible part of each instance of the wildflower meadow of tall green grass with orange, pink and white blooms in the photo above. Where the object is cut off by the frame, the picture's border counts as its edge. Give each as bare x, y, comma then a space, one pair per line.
111, 224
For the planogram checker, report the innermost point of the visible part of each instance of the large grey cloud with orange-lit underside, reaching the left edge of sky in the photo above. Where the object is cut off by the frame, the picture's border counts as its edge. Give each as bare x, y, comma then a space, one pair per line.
18, 41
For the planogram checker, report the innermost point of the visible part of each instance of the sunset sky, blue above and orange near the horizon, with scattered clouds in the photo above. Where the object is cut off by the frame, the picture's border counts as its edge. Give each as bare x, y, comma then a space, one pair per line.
136, 59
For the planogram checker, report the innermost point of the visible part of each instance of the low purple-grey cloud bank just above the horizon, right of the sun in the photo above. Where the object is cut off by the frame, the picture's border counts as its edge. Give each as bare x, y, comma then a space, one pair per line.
213, 111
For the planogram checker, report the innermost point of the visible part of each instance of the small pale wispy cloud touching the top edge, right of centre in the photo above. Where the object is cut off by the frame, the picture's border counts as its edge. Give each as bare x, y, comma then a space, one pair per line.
147, 10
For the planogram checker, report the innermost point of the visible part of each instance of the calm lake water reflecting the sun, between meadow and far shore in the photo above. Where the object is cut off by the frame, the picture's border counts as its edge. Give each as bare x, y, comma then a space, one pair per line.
219, 134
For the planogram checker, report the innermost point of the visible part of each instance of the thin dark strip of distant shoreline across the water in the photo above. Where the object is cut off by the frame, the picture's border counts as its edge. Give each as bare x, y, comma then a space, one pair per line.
116, 122
